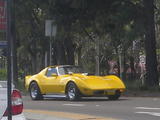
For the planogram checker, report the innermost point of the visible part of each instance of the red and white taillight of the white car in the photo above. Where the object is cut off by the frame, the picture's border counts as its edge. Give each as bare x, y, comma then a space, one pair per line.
17, 104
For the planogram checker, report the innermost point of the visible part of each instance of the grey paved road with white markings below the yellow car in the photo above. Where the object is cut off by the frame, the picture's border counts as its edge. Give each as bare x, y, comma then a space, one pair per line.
127, 108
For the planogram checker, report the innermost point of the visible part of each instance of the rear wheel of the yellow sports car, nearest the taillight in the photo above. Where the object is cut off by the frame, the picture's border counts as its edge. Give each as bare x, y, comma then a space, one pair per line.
35, 92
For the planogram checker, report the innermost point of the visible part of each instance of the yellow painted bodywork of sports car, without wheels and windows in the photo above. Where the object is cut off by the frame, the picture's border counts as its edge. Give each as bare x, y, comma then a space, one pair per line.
86, 84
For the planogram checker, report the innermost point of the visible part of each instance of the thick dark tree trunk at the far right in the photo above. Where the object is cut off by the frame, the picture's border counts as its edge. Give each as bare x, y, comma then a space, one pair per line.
150, 44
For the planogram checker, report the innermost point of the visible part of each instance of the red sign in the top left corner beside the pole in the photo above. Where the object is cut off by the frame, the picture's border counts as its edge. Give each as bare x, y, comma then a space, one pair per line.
3, 19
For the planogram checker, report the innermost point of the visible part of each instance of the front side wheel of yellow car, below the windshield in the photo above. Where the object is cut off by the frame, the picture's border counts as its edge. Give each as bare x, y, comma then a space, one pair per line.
72, 92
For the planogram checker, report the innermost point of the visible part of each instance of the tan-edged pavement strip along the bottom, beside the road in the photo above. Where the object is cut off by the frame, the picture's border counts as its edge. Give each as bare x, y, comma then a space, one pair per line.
53, 115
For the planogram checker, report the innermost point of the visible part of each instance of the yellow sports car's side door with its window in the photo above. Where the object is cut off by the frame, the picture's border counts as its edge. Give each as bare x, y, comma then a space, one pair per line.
51, 81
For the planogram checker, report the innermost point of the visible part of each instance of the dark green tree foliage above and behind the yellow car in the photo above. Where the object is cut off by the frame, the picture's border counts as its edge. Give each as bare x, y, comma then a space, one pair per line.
80, 23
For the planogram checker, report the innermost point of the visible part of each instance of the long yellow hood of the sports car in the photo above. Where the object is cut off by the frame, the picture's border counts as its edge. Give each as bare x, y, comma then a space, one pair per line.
97, 82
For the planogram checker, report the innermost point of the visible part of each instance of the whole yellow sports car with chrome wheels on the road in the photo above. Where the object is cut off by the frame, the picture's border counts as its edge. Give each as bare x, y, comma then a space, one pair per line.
72, 82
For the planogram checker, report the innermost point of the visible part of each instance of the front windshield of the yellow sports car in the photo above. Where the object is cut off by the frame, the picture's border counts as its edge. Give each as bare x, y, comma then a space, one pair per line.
70, 69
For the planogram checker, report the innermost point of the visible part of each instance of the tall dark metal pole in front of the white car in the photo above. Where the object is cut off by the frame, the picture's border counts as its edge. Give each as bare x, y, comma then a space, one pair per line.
9, 81
